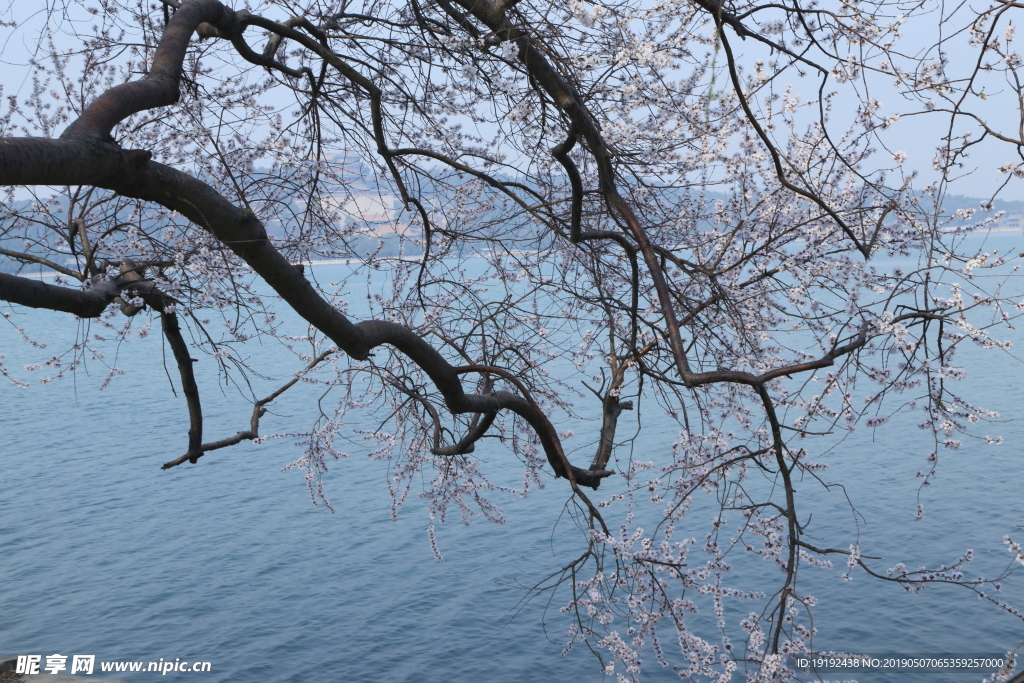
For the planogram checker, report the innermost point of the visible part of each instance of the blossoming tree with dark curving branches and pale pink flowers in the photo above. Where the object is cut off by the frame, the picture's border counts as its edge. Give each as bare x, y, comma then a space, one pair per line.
693, 206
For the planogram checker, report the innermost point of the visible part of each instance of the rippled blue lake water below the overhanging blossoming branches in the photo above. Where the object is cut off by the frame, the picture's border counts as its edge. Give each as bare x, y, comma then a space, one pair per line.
229, 562
